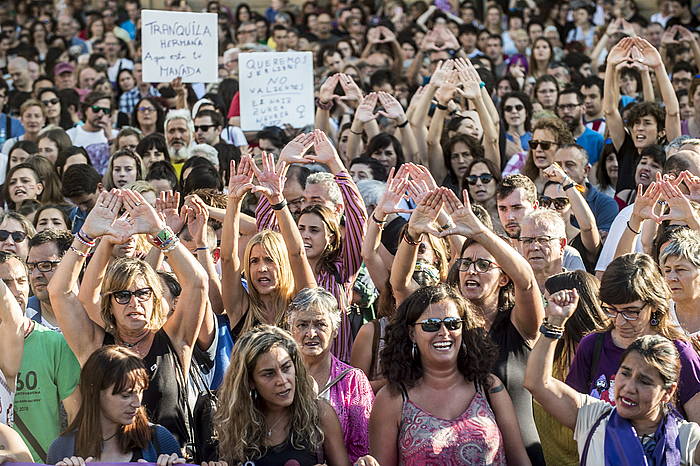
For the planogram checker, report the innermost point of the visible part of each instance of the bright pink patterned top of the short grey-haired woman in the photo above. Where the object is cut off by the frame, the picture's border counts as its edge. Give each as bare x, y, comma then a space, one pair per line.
352, 398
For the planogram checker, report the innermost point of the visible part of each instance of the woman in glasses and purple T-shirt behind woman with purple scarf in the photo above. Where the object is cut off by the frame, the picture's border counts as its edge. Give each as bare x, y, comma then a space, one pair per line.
636, 299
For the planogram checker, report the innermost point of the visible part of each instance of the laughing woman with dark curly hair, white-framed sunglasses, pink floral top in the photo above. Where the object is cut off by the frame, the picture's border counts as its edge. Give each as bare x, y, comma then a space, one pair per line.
437, 349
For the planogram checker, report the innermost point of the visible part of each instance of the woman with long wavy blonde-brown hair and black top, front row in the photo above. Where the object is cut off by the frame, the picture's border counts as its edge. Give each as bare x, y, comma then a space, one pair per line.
268, 411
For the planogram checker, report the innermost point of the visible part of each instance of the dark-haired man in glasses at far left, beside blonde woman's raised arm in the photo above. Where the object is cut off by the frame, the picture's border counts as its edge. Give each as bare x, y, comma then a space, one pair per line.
46, 249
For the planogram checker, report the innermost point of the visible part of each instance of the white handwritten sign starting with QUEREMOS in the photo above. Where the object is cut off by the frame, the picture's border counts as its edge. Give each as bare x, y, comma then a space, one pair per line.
277, 88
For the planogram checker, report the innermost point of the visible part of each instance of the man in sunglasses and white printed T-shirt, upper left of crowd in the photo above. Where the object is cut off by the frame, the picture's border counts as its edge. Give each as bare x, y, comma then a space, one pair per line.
97, 131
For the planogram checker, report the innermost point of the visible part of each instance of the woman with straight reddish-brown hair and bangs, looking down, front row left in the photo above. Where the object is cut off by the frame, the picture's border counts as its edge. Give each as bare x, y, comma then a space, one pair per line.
111, 424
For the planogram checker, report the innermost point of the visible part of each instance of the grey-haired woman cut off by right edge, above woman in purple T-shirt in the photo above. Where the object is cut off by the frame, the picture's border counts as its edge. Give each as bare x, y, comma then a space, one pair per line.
680, 265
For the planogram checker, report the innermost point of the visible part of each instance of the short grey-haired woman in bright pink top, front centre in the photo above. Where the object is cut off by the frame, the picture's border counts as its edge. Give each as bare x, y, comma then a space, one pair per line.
314, 319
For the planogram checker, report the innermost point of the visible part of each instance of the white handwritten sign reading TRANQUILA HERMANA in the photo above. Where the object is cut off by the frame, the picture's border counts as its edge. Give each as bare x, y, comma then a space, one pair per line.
176, 44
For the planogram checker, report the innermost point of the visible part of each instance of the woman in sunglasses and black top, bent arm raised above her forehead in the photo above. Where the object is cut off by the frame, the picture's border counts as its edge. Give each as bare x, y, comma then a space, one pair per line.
561, 194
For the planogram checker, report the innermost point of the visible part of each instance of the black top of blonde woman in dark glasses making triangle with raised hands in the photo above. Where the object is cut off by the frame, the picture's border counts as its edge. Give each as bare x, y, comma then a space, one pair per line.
165, 399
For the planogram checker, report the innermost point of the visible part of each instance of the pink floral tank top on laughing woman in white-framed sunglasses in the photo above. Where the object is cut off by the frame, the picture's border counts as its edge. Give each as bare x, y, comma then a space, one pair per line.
473, 438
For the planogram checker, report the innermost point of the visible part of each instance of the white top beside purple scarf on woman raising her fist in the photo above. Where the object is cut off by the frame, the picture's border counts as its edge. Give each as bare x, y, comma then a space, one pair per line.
593, 408
